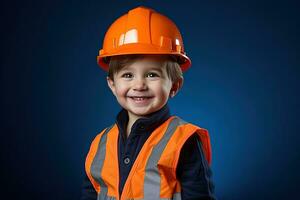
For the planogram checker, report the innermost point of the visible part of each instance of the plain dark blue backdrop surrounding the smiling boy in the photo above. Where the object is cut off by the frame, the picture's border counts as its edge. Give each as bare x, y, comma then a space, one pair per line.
243, 87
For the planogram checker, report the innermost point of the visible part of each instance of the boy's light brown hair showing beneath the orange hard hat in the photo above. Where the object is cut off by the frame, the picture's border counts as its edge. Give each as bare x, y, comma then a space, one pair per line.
169, 62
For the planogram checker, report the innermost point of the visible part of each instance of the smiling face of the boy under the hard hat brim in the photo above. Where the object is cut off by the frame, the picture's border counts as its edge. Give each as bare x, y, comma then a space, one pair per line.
142, 87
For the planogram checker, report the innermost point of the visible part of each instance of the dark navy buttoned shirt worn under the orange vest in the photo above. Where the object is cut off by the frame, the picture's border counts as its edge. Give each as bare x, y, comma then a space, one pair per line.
193, 171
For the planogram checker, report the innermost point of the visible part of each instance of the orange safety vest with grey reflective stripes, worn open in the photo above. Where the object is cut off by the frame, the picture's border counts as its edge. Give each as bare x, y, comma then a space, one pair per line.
153, 174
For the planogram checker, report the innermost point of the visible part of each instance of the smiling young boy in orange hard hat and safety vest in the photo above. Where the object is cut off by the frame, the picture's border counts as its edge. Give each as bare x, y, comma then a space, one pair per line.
147, 153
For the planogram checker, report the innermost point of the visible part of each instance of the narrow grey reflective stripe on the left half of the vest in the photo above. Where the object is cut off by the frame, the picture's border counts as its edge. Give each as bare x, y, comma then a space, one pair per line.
97, 165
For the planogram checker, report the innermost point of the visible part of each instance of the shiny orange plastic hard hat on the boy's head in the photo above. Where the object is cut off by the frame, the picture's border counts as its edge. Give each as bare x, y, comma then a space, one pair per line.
143, 31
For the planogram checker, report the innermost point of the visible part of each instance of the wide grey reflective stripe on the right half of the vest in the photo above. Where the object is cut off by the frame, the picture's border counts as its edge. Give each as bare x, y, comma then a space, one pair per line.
152, 176
